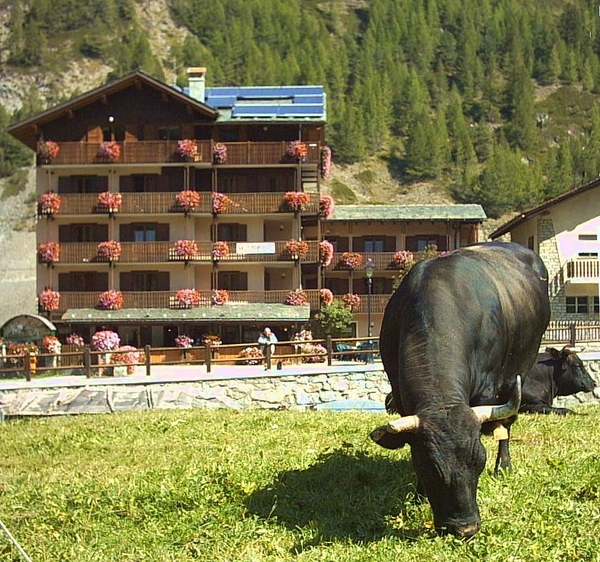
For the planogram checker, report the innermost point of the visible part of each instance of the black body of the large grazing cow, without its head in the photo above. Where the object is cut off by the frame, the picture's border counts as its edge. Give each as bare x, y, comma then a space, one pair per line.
461, 326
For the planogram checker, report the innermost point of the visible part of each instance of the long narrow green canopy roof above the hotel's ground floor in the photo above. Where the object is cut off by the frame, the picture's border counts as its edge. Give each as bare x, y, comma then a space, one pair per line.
232, 312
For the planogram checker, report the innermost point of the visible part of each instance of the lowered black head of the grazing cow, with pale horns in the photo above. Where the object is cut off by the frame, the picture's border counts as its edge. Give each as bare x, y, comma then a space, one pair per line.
448, 457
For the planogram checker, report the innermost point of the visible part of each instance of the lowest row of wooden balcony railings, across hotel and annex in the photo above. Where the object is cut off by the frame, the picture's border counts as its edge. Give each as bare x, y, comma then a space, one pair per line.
167, 299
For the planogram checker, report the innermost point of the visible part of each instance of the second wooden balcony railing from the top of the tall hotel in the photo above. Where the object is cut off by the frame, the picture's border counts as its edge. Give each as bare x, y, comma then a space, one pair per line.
166, 202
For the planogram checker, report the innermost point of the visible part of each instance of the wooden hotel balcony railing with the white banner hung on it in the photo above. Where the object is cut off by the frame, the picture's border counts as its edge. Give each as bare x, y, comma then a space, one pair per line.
164, 252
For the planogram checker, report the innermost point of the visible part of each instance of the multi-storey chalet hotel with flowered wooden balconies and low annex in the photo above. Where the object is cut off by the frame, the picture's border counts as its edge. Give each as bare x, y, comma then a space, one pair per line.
164, 211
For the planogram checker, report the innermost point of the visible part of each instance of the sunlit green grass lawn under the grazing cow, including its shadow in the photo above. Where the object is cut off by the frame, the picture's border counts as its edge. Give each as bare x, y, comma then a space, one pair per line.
179, 485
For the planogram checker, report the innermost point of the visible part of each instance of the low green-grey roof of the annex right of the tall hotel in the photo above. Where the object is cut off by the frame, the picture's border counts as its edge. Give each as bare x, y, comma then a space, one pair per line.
408, 212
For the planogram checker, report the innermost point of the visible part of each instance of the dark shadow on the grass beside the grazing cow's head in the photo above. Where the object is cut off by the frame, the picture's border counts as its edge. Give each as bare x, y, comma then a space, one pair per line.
346, 494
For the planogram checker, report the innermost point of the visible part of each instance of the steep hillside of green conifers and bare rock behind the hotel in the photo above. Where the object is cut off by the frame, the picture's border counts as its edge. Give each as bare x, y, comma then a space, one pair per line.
495, 101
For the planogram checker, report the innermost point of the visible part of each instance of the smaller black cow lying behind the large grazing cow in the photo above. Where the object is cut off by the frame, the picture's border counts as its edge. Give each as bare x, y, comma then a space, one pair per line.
556, 373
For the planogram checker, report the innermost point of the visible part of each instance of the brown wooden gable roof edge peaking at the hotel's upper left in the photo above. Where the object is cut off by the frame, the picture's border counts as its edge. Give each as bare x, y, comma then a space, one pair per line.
22, 130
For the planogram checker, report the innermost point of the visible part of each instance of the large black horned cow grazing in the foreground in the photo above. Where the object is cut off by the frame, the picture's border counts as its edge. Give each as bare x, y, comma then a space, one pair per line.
455, 338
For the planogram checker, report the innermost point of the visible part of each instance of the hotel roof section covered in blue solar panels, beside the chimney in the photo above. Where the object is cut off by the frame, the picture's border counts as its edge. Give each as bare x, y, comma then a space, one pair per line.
269, 103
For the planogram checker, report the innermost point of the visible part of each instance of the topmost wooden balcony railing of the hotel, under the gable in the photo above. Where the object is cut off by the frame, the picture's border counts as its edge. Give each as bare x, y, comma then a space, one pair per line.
165, 152
